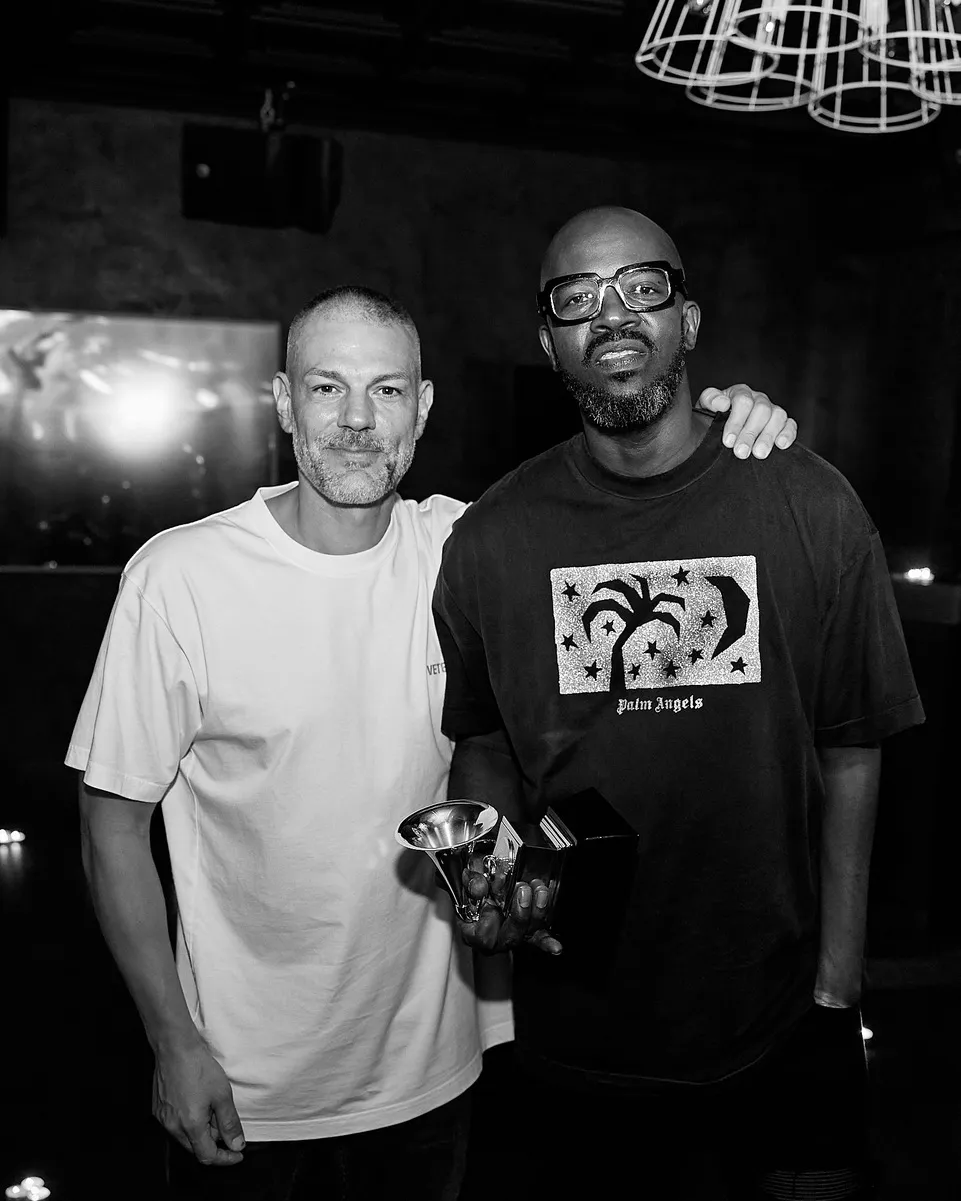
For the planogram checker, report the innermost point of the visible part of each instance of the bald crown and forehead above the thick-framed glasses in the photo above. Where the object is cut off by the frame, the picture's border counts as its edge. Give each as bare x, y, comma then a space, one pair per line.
587, 235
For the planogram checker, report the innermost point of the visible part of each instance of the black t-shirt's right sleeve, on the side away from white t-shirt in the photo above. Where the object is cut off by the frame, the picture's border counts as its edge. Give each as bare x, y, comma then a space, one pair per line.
868, 688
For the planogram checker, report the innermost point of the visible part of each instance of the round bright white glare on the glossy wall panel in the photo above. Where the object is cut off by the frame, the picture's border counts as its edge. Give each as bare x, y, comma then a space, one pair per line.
145, 411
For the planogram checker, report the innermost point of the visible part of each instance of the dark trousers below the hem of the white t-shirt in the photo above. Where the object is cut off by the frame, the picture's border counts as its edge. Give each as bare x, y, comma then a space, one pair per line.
419, 1161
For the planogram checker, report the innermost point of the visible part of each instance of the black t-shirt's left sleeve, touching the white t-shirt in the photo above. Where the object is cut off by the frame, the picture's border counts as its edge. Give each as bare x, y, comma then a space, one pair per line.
470, 707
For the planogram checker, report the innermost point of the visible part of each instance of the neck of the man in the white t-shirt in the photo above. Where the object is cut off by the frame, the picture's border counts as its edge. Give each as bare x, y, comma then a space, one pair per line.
307, 517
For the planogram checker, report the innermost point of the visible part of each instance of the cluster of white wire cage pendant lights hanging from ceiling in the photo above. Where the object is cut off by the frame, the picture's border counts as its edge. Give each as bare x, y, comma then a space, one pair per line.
866, 67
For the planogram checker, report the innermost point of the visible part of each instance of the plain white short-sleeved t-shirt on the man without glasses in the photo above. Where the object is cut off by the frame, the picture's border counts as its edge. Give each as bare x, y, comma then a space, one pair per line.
285, 706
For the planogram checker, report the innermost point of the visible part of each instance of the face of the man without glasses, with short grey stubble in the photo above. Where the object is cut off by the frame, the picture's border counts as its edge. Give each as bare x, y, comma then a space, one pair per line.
355, 404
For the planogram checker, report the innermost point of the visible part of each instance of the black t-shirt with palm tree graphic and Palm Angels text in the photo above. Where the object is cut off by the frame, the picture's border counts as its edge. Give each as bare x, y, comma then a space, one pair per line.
683, 644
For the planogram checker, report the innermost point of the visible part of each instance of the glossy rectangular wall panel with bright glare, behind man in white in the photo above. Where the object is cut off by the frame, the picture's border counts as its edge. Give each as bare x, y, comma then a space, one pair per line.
114, 428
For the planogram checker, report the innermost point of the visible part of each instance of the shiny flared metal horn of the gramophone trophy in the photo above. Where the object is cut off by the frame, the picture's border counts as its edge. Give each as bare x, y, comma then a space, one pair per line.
449, 834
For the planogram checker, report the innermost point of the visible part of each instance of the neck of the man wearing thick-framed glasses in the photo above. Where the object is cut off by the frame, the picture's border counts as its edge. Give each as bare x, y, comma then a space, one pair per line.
659, 447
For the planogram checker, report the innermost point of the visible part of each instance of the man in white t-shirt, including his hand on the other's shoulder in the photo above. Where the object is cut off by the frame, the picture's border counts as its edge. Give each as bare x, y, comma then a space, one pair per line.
272, 674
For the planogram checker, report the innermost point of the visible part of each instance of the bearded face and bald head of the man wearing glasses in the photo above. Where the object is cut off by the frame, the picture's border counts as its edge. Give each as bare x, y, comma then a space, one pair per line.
624, 368
